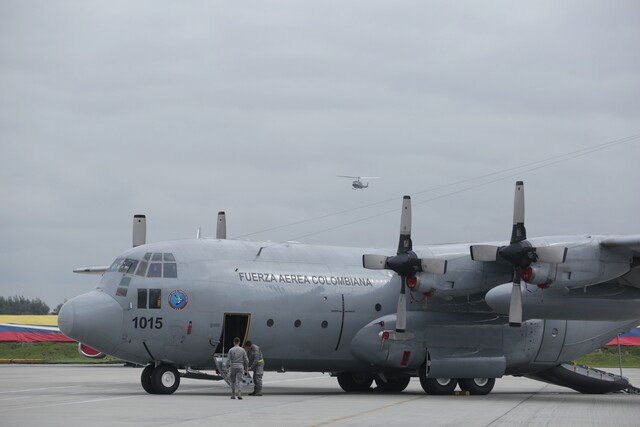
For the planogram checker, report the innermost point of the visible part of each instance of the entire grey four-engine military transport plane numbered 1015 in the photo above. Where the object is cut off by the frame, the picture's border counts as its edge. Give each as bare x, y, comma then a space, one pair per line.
452, 315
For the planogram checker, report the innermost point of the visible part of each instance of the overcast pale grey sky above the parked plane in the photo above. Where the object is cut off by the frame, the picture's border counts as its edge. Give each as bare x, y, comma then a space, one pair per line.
180, 109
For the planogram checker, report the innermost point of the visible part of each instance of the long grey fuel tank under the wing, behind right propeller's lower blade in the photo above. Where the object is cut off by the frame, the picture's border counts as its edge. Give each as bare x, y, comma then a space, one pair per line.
599, 302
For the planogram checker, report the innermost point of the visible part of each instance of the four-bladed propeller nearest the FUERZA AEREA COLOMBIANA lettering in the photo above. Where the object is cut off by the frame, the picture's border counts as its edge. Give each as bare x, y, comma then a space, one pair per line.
405, 263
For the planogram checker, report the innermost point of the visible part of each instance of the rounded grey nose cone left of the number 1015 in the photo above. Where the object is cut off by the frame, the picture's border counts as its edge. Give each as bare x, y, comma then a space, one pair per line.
94, 319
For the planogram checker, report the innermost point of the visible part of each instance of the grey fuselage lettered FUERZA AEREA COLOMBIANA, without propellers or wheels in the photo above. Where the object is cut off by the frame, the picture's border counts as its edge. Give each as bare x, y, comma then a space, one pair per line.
314, 308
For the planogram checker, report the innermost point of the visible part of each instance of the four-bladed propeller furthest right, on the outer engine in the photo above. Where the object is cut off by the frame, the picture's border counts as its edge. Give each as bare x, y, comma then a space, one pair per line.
519, 253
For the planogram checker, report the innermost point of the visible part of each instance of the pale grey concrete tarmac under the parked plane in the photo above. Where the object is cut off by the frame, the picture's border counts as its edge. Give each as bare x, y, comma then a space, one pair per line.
68, 395
